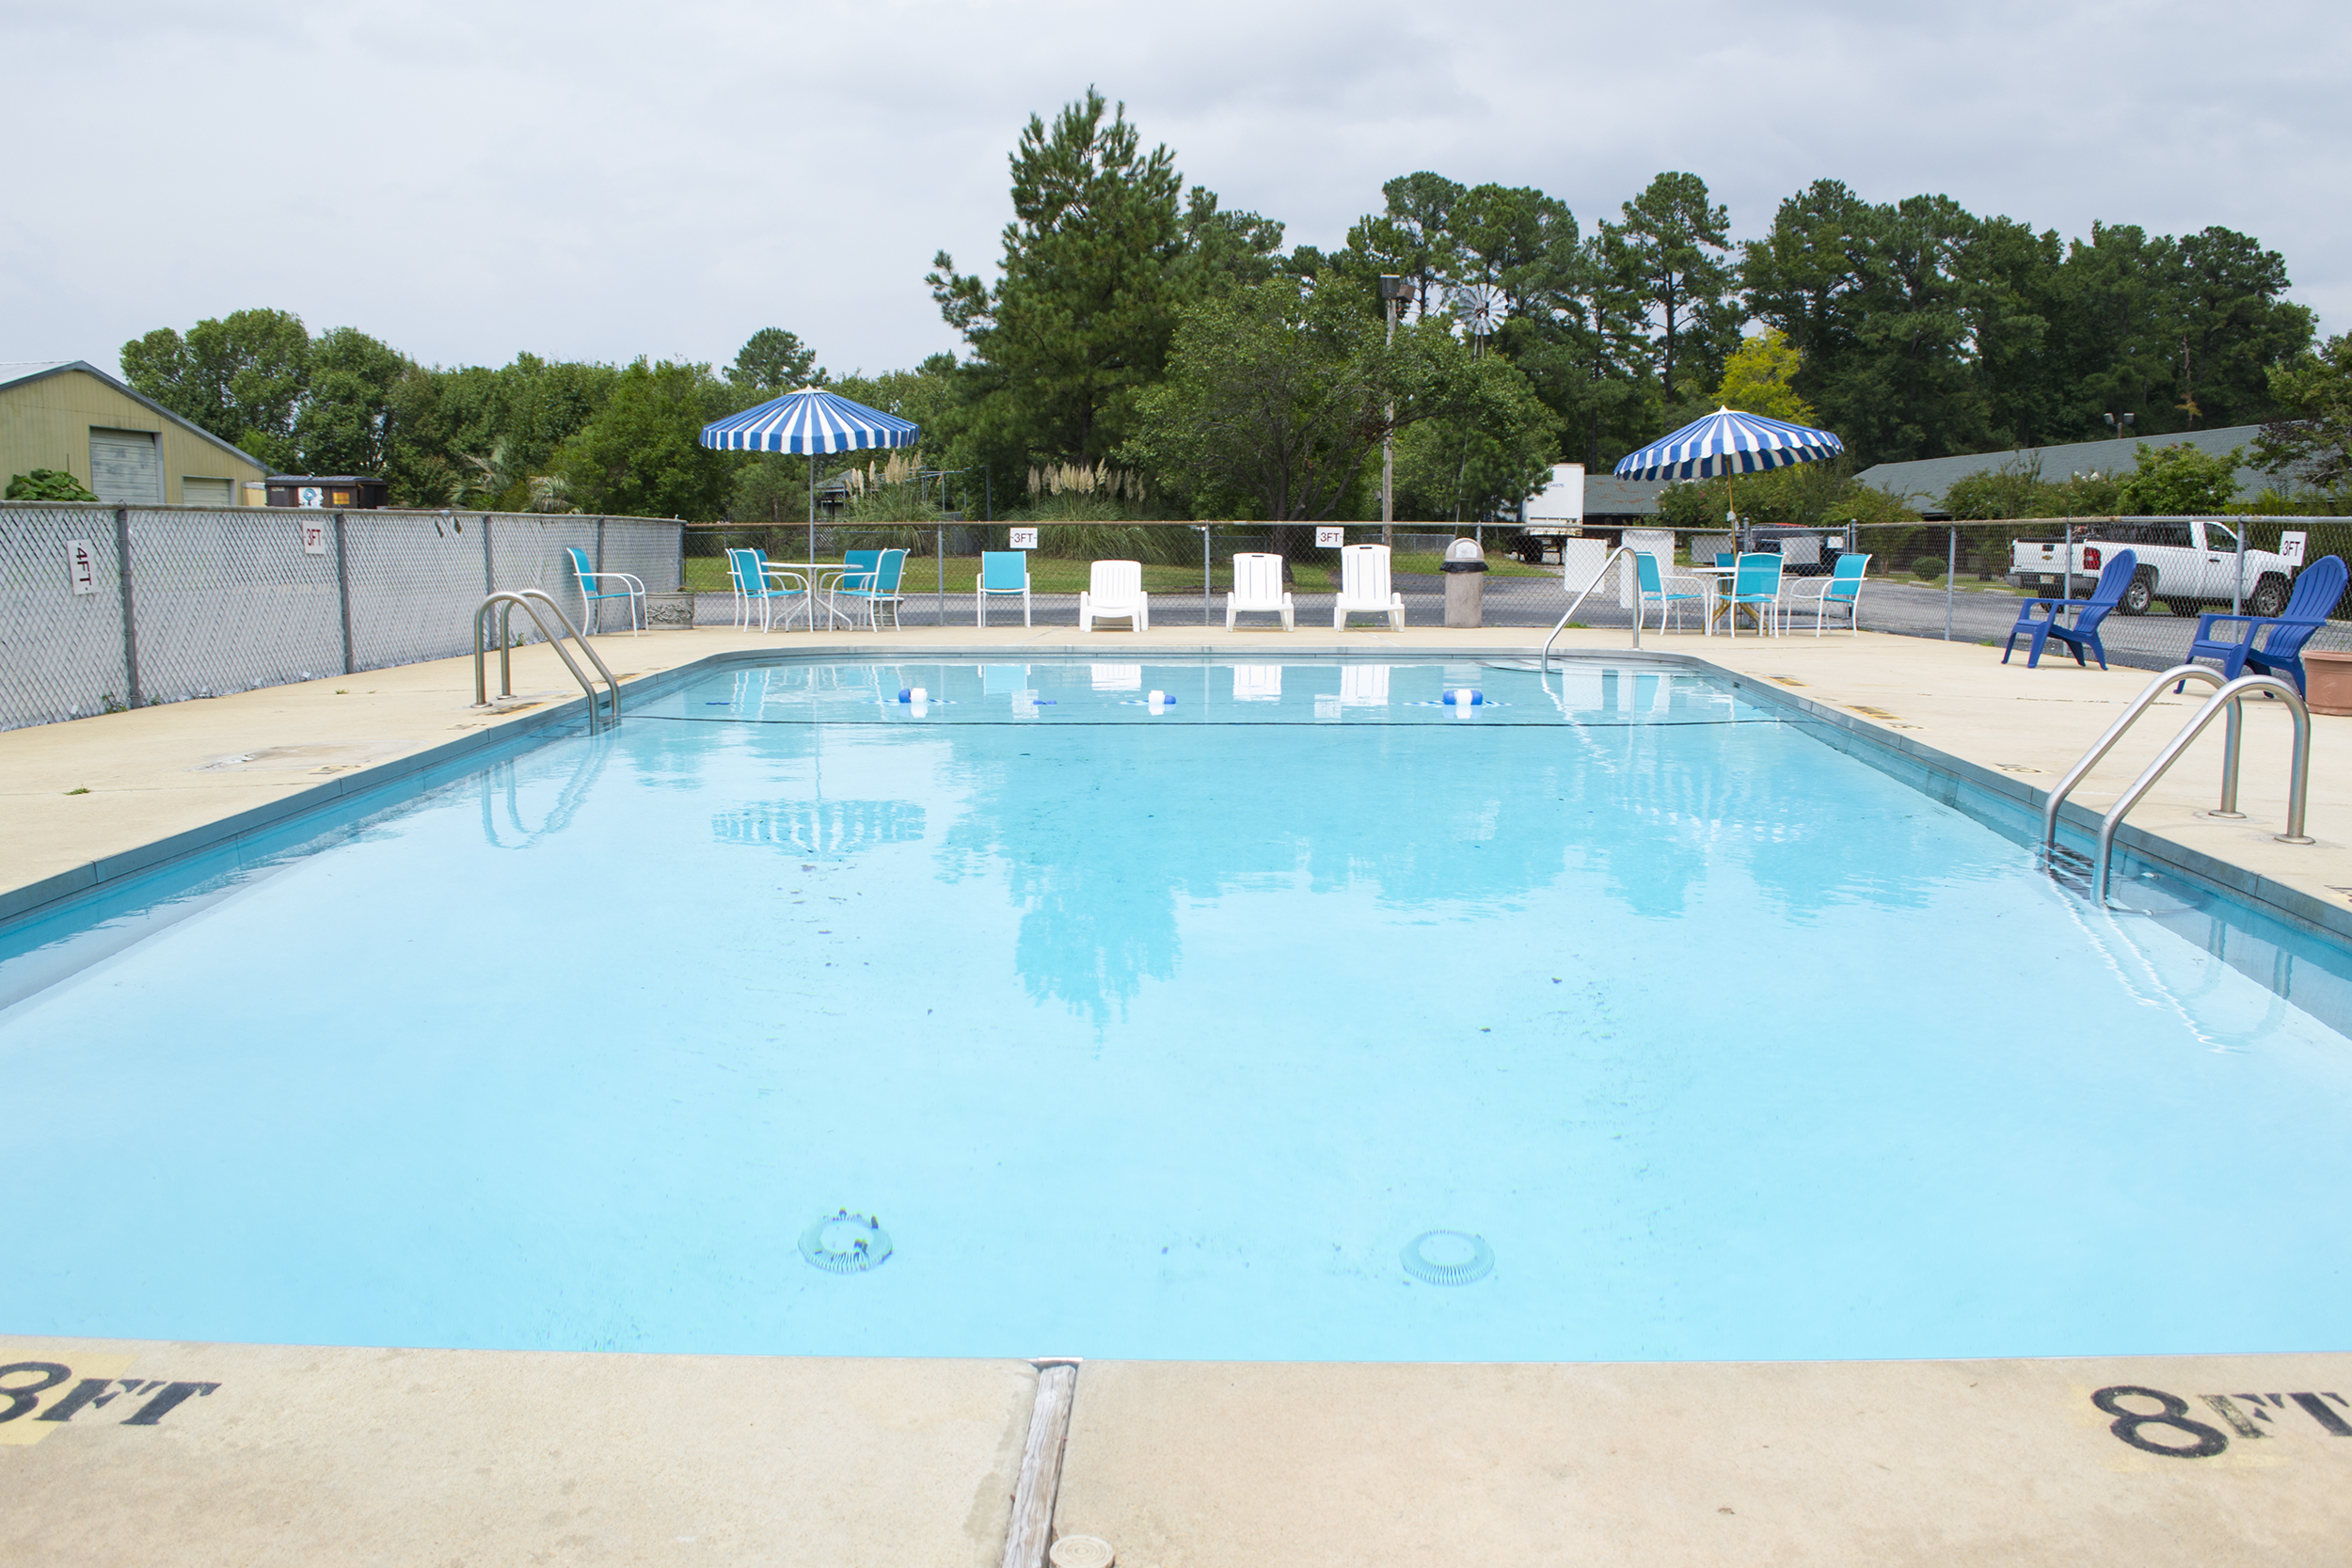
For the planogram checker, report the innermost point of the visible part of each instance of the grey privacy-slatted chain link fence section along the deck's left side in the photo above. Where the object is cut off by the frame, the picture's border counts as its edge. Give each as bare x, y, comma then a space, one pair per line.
121, 608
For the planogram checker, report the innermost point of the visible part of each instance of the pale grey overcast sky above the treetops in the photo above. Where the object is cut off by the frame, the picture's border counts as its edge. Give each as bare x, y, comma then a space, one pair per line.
479, 177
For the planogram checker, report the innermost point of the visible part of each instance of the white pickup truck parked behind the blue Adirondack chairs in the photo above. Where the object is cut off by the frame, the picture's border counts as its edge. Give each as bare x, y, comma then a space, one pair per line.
2191, 563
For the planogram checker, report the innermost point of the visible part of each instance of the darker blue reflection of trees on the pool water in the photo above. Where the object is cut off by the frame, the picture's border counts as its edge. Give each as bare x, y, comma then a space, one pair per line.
1102, 836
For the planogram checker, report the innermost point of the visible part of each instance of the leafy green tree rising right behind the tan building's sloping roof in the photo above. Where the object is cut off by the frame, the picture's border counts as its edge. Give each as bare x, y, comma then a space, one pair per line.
241, 377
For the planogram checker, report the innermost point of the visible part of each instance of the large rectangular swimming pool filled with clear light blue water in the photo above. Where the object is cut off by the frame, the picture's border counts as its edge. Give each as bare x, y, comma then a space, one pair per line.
1307, 1017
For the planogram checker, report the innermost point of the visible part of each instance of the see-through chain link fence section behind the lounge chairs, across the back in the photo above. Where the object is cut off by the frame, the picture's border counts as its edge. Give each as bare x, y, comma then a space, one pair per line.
1932, 579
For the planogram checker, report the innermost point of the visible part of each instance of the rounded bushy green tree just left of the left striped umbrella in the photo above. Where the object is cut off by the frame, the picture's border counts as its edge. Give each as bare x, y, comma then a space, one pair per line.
643, 455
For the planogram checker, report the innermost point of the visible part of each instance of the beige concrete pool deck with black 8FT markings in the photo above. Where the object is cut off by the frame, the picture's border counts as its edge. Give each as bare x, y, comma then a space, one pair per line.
385, 1456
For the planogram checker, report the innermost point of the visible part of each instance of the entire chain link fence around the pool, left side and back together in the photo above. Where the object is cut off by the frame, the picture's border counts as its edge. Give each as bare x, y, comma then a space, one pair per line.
232, 598
